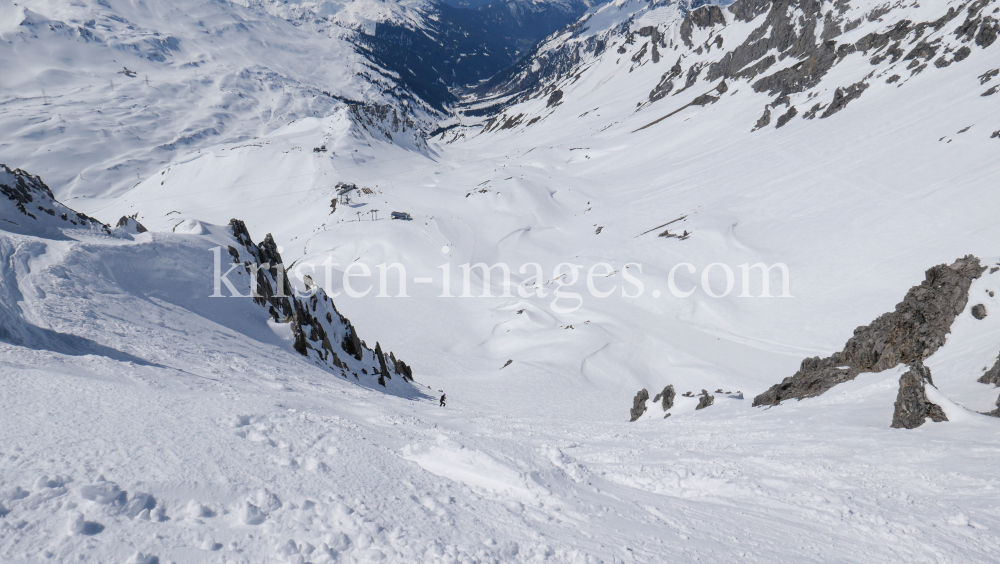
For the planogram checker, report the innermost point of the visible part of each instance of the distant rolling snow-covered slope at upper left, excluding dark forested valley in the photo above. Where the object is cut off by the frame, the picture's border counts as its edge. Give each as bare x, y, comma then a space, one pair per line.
200, 73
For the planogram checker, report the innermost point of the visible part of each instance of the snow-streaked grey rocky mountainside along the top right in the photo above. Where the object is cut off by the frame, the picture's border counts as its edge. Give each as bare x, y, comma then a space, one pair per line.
790, 48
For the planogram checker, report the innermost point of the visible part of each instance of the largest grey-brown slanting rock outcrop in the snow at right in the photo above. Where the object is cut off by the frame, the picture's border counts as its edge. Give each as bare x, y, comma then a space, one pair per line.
909, 334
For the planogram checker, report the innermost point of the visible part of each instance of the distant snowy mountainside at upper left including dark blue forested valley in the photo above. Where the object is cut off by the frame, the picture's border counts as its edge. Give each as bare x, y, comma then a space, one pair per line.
151, 81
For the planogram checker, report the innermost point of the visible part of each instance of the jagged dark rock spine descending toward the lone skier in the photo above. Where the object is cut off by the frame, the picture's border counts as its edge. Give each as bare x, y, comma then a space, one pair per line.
320, 331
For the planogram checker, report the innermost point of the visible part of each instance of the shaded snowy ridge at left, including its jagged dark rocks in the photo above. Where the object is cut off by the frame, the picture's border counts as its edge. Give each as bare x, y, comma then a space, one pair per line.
136, 265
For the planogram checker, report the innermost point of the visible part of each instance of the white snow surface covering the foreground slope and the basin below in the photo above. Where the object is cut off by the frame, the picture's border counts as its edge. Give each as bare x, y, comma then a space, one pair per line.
143, 421
